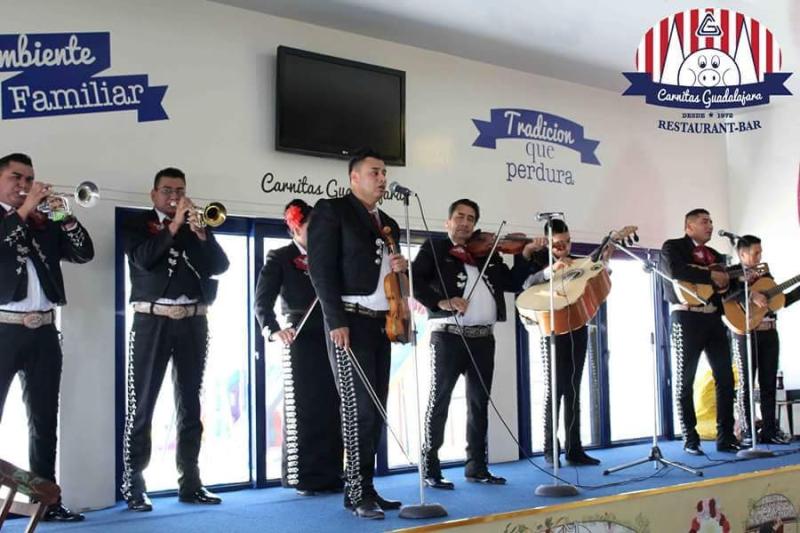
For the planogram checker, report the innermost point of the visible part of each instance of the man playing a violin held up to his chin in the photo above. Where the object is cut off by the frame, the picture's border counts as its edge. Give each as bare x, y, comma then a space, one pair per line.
462, 310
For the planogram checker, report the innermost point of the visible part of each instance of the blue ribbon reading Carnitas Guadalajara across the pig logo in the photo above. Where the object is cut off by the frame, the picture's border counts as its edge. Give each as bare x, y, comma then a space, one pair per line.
706, 97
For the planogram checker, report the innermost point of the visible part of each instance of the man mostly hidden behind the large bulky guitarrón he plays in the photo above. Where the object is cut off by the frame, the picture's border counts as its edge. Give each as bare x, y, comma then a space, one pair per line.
570, 353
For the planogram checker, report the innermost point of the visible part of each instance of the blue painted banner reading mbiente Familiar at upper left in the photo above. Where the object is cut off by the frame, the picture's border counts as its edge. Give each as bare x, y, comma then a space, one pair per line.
57, 76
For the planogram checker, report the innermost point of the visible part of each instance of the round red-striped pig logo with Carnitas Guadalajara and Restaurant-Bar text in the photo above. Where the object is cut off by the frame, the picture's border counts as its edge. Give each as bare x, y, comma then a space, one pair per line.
709, 61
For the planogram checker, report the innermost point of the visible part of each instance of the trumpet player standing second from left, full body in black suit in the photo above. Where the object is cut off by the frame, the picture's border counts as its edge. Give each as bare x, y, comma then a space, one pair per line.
172, 258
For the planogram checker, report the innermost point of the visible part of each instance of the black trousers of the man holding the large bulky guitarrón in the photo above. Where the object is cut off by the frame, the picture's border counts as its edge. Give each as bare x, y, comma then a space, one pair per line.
570, 359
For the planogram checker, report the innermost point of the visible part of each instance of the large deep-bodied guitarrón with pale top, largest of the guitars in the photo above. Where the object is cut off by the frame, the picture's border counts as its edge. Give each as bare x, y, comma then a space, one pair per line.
579, 291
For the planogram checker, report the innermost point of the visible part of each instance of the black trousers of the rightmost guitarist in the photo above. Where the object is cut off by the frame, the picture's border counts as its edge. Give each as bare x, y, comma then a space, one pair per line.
765, 346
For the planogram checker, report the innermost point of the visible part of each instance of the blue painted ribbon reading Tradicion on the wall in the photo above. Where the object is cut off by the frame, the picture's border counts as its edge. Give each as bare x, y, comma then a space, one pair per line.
534, 125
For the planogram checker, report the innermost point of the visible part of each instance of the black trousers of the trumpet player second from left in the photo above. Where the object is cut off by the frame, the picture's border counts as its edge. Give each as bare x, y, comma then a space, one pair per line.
154, 341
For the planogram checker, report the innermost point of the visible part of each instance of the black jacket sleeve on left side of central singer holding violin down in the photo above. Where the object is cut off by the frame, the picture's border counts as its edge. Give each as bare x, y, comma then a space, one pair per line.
324, 262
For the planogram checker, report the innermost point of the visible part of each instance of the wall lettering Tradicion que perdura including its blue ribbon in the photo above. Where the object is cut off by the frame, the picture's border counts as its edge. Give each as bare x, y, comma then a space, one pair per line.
543, 135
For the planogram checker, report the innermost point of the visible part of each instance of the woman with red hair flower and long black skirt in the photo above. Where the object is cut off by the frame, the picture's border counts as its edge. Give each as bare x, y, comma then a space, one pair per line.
312, 440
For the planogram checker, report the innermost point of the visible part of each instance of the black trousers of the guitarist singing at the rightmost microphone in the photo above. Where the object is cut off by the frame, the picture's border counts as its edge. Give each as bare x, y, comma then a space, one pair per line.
693, 333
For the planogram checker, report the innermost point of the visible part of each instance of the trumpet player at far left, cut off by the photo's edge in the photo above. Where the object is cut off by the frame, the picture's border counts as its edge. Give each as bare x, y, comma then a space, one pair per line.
31, 287
